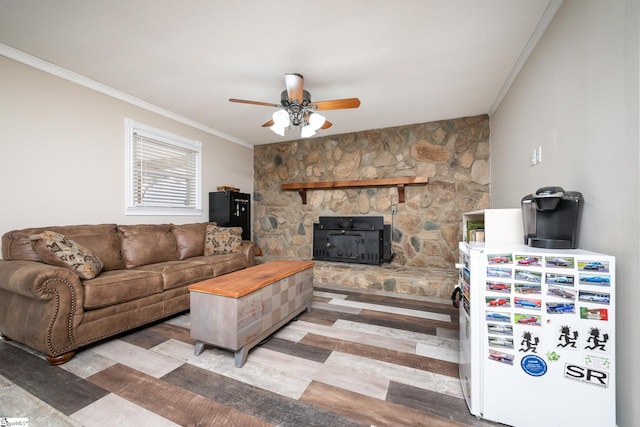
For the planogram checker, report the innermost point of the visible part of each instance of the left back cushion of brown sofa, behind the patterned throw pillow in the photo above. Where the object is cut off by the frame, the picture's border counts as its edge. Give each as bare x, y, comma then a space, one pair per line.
102, 240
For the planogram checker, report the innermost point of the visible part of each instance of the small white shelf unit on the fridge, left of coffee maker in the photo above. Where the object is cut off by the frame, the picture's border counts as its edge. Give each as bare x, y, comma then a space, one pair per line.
500, 225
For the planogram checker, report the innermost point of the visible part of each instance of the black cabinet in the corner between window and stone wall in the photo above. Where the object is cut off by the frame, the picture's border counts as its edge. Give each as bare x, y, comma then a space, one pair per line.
231, 209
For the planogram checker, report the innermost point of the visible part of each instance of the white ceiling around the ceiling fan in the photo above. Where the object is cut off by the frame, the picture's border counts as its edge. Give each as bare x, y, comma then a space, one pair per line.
408, 61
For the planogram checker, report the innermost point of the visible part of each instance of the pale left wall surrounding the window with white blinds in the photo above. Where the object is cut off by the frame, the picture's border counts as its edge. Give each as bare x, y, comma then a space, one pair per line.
62, 153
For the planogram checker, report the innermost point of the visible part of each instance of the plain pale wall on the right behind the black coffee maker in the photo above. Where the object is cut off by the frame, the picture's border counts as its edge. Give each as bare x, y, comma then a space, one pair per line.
577, 97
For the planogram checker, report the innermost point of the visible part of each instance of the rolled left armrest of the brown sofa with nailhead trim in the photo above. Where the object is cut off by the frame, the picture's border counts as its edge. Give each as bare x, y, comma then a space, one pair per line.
40, 305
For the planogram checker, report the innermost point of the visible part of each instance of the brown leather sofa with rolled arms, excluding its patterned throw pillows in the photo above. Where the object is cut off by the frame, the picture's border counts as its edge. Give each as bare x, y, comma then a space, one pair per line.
145, 275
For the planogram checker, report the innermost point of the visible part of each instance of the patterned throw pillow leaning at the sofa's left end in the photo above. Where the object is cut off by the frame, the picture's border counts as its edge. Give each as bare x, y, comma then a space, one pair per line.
57, 249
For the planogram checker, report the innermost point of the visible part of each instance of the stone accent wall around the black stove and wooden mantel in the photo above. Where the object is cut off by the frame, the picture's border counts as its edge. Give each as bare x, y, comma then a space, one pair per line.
453, 154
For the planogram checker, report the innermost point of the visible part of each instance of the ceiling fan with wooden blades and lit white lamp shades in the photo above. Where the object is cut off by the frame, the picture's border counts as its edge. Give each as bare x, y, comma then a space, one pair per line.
297, 109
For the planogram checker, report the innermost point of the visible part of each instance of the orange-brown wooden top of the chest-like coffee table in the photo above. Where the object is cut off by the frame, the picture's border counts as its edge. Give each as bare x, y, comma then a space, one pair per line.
243, 282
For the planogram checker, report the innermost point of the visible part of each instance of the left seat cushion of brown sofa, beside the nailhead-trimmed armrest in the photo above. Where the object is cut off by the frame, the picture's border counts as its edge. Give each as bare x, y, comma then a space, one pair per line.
114, 287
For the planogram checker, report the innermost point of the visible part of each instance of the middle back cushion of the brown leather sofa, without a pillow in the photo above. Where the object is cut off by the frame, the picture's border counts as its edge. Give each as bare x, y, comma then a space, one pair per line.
147, 244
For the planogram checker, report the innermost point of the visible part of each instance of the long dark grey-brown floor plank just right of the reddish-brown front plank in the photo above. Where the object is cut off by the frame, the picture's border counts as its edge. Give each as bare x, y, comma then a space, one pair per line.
243, 397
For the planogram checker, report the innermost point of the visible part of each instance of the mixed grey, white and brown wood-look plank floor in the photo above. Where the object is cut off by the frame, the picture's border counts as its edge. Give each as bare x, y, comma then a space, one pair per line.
358, 359
